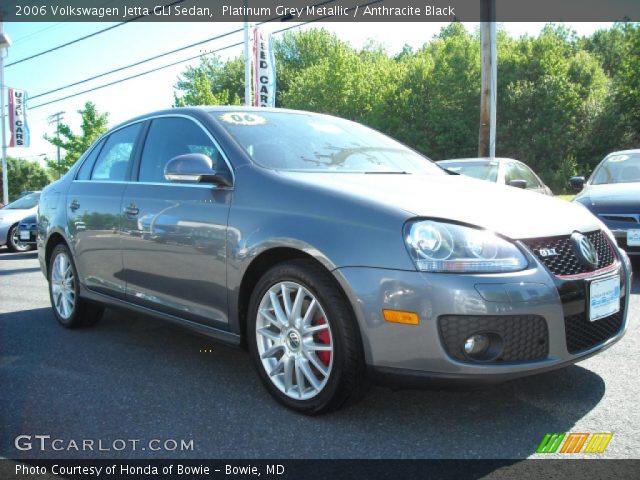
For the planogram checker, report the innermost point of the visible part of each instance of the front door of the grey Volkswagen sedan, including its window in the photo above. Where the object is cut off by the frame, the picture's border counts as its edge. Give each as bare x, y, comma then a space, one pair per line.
174, 235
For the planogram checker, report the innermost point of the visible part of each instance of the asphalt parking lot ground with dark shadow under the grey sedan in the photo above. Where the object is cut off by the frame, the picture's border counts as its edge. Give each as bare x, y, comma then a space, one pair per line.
132, 377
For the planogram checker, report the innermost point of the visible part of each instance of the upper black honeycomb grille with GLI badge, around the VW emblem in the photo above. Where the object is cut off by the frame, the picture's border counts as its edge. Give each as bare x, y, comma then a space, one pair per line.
566, 262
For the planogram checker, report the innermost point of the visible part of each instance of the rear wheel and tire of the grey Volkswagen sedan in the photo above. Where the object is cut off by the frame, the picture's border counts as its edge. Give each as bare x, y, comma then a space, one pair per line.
64, 292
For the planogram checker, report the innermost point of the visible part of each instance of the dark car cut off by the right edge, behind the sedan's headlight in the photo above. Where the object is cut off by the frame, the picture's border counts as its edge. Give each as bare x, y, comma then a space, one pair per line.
612, 193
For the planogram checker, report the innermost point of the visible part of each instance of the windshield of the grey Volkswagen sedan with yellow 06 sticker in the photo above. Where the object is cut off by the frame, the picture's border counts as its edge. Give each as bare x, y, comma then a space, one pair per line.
318, 143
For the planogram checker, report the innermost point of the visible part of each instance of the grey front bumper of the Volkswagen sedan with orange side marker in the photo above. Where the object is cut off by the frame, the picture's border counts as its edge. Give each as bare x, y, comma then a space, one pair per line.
419, 351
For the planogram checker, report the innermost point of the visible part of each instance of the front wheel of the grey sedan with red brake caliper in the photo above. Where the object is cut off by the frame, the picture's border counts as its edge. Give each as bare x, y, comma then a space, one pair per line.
308, 353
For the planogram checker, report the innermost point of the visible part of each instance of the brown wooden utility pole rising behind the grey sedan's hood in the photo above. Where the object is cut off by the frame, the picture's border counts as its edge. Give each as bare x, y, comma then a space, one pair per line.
486, 137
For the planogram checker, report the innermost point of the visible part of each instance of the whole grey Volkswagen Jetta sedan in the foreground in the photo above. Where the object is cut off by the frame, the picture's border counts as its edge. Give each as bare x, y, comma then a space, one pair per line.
329, 250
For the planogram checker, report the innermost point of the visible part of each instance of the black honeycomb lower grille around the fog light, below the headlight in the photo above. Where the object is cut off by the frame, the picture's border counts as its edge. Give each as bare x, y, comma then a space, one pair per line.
525, 337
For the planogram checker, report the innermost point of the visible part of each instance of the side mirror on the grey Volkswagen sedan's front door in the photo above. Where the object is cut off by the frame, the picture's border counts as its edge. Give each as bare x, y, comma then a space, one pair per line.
195, 168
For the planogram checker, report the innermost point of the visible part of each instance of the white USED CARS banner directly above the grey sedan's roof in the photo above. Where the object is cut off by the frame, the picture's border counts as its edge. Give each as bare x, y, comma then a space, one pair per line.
264, 70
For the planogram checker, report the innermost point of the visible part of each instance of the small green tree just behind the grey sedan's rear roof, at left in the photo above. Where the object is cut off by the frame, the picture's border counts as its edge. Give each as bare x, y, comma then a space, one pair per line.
93, 125
